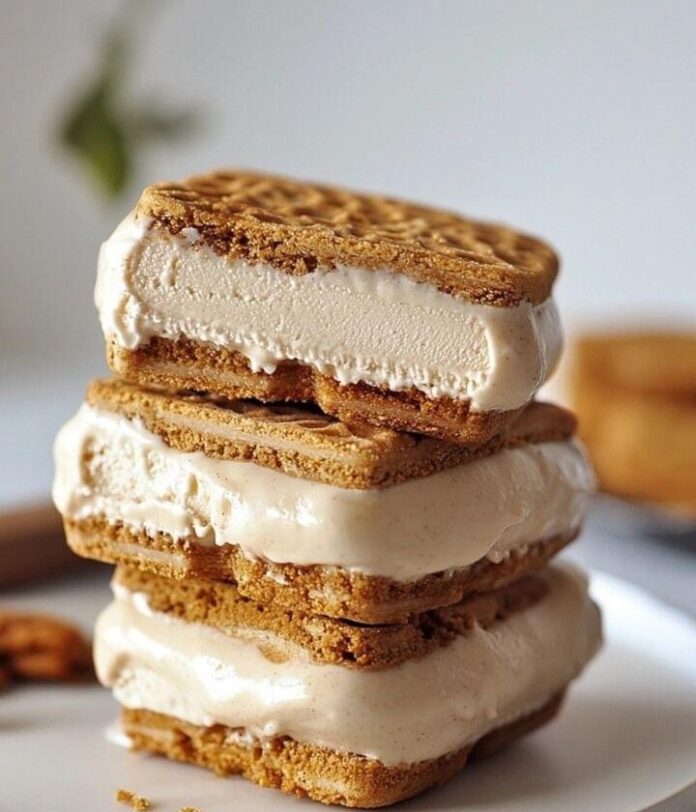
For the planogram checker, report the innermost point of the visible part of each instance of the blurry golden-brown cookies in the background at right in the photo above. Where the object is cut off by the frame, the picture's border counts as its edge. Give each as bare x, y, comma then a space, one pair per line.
635, 395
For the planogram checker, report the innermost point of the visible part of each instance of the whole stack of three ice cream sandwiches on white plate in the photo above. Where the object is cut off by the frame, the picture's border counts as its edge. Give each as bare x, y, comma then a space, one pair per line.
330, 494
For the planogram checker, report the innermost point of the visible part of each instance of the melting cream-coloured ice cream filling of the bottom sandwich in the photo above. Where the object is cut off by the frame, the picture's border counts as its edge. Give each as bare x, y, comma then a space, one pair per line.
456, 693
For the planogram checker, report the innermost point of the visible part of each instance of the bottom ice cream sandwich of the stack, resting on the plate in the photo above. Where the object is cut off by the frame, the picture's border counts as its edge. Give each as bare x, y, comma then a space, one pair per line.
320, 708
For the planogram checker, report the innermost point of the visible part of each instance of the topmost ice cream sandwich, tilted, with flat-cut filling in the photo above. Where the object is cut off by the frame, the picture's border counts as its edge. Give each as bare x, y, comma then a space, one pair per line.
374, 309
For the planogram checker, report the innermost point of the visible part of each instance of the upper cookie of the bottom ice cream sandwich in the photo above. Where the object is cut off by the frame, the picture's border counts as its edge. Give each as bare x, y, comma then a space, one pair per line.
326, 640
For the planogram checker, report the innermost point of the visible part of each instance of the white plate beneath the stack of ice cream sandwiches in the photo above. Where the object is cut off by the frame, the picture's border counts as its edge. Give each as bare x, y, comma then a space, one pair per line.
625, 741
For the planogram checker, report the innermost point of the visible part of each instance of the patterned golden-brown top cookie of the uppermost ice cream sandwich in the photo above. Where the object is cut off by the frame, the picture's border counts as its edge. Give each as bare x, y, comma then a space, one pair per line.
299, 227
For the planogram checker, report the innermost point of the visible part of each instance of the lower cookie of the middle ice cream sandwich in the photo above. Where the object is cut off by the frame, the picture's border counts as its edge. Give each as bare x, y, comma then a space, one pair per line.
314, 589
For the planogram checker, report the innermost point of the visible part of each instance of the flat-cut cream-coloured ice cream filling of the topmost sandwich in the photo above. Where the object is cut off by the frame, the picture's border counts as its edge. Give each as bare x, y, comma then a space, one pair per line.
353, 324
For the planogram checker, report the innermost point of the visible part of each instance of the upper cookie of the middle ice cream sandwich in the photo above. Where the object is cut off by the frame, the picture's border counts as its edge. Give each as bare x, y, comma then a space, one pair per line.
307, 444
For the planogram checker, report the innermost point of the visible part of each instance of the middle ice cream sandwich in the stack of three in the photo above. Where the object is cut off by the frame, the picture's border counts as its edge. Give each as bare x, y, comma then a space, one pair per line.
346, 520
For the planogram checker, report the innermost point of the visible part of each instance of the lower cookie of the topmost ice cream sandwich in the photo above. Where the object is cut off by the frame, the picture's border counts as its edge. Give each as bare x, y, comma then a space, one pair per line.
186, 365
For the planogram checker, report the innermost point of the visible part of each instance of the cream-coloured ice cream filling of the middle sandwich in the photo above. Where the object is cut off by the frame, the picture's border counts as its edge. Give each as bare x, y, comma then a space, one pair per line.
113, 467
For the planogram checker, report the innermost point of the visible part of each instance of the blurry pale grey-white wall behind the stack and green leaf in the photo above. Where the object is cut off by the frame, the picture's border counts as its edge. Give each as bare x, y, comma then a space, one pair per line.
575, 121
